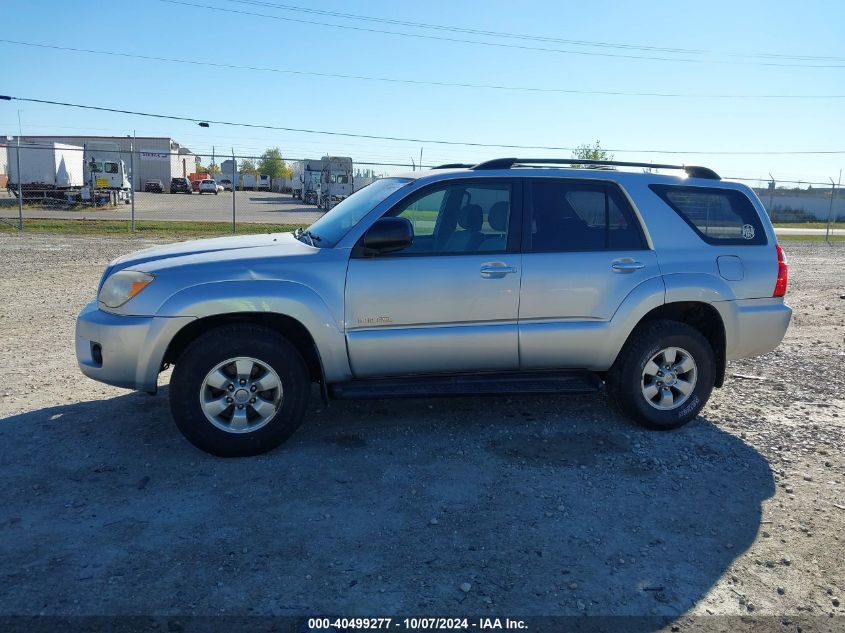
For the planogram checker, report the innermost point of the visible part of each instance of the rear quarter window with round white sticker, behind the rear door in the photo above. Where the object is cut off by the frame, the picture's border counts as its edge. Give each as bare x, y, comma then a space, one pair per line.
718, 216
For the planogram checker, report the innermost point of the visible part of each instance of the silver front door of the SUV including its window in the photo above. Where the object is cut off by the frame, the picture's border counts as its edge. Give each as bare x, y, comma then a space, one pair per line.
449, 302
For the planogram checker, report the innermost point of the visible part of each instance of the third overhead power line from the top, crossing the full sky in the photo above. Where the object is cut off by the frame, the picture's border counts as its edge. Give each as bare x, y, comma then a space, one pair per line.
418, 82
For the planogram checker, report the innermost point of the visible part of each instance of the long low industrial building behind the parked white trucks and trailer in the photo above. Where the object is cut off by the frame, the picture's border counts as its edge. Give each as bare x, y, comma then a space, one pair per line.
155, 157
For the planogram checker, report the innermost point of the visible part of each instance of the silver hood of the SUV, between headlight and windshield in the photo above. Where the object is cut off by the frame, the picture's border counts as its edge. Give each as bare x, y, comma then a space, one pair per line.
282, 243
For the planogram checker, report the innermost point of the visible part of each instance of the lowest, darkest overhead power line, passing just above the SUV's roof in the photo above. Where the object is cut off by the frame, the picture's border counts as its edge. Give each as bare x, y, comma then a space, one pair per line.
407, 140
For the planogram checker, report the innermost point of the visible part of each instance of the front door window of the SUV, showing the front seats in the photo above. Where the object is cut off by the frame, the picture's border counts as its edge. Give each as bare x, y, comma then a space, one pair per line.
459, 218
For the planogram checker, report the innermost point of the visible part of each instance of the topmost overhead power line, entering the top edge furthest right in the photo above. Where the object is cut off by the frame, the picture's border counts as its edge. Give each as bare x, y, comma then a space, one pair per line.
523, 36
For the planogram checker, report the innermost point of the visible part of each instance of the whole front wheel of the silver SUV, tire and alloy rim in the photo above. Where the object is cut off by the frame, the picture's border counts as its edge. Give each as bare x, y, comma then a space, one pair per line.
239, 390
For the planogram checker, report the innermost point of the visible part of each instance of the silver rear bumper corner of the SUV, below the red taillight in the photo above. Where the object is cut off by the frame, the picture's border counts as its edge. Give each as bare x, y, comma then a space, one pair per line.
758, 326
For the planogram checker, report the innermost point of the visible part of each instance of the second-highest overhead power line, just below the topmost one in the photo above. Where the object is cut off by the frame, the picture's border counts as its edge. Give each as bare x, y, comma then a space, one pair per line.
494, 44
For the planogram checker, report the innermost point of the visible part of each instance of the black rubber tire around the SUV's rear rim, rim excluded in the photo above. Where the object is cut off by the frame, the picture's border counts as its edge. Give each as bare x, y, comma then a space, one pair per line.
626, 377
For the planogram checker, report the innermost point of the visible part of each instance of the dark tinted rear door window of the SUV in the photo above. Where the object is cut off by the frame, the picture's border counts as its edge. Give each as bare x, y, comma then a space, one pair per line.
580, 216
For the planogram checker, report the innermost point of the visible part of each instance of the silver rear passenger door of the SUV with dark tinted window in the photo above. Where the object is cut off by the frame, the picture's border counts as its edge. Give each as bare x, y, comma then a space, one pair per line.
584, 251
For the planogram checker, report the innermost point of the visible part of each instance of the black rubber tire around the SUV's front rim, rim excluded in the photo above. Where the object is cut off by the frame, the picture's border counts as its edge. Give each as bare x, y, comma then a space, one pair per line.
217, 346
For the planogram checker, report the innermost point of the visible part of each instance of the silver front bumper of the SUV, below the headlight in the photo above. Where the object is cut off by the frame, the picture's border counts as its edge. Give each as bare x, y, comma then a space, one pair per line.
124, 351
